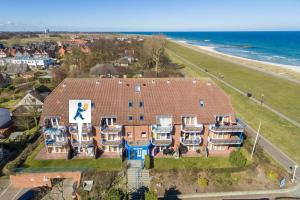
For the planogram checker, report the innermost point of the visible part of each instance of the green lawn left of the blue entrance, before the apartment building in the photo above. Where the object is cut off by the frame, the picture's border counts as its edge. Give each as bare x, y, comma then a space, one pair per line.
101, 164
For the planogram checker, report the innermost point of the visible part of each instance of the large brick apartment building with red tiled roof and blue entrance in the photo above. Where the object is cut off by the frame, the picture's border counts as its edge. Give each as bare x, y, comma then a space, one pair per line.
138, 117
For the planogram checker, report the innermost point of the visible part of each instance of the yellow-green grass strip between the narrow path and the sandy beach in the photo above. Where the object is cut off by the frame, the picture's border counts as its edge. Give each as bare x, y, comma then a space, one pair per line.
280, 94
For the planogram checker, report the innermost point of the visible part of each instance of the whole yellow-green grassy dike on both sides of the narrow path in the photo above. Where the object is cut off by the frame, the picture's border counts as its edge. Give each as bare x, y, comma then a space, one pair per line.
283, 95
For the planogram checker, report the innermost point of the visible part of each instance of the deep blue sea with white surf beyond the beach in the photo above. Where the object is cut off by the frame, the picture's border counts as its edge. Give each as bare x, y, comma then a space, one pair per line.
279, 47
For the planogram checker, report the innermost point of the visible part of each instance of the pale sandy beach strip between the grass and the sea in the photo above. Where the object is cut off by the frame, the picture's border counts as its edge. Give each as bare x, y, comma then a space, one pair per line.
285, 71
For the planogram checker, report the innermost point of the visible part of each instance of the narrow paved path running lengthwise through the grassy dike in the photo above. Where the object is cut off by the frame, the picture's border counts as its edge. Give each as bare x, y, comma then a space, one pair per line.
237, 90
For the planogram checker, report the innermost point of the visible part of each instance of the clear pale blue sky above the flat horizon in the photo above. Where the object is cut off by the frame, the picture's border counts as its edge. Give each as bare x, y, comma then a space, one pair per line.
150, 15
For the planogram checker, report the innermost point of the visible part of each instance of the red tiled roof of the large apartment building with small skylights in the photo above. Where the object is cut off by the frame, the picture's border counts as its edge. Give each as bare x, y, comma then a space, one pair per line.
174, 97
